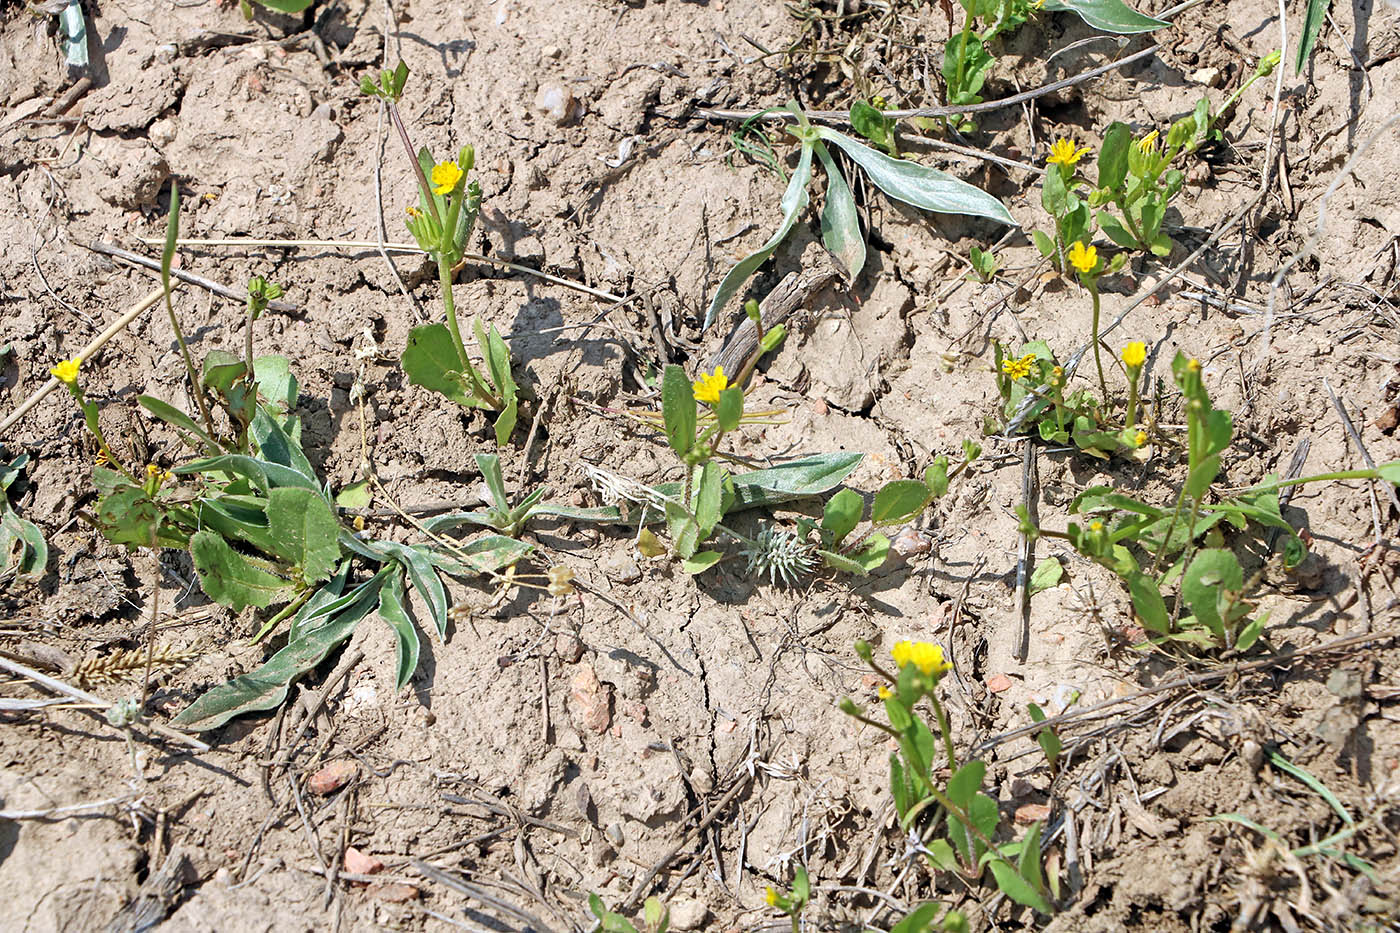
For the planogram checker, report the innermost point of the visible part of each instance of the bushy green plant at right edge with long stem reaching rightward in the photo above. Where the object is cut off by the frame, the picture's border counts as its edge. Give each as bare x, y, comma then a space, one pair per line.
1179, 553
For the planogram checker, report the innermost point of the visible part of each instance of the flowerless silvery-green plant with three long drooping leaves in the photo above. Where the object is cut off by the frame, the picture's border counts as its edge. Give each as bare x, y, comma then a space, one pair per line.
902, 180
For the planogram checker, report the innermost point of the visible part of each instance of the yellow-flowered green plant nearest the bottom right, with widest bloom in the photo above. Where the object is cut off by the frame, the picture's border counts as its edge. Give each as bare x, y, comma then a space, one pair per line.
957, 823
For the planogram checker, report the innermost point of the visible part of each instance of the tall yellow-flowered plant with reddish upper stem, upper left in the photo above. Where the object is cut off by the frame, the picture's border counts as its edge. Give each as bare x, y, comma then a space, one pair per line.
436, 355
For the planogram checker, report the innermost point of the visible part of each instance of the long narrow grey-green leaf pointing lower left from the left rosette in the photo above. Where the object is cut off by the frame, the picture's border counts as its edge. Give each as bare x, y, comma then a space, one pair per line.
267, 687
